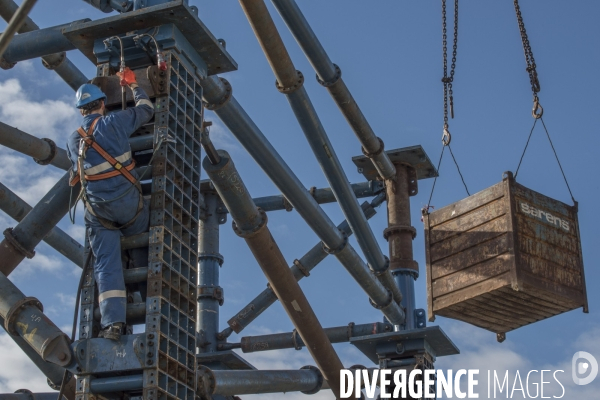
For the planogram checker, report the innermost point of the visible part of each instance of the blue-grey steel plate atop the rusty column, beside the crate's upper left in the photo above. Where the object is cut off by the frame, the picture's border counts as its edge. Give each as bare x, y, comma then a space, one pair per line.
413, 155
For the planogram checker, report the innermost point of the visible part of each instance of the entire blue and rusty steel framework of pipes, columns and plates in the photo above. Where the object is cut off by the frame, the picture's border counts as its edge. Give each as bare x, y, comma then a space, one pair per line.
182, 353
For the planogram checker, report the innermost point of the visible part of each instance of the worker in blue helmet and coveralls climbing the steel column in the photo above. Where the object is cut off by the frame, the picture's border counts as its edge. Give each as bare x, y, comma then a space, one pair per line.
101, 157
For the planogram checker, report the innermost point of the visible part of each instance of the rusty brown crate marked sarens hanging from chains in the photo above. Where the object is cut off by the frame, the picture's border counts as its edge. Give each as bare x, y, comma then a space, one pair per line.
504, 258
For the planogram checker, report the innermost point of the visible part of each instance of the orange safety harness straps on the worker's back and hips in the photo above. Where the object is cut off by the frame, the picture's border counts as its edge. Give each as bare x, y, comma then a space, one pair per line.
93, 174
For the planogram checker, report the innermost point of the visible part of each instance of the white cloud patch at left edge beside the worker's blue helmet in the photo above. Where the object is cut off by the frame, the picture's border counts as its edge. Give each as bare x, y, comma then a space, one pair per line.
53, 119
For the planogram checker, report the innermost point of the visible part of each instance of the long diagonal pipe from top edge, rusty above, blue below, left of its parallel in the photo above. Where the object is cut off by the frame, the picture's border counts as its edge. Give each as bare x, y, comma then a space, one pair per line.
290, 82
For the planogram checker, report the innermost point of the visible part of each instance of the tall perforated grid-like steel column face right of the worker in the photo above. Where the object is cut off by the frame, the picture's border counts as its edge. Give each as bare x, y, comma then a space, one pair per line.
173, 254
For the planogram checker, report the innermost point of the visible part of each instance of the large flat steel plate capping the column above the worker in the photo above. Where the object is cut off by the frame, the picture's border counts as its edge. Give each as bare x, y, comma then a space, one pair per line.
175, 12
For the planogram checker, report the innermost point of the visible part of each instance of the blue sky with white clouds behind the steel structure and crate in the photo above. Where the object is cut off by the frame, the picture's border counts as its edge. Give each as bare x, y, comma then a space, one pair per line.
390, 56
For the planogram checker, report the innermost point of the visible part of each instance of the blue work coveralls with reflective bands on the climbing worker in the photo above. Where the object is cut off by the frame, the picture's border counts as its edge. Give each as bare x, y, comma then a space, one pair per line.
112, 133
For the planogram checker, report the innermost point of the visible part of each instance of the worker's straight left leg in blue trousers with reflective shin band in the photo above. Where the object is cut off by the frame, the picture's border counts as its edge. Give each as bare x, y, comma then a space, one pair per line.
108, 271
